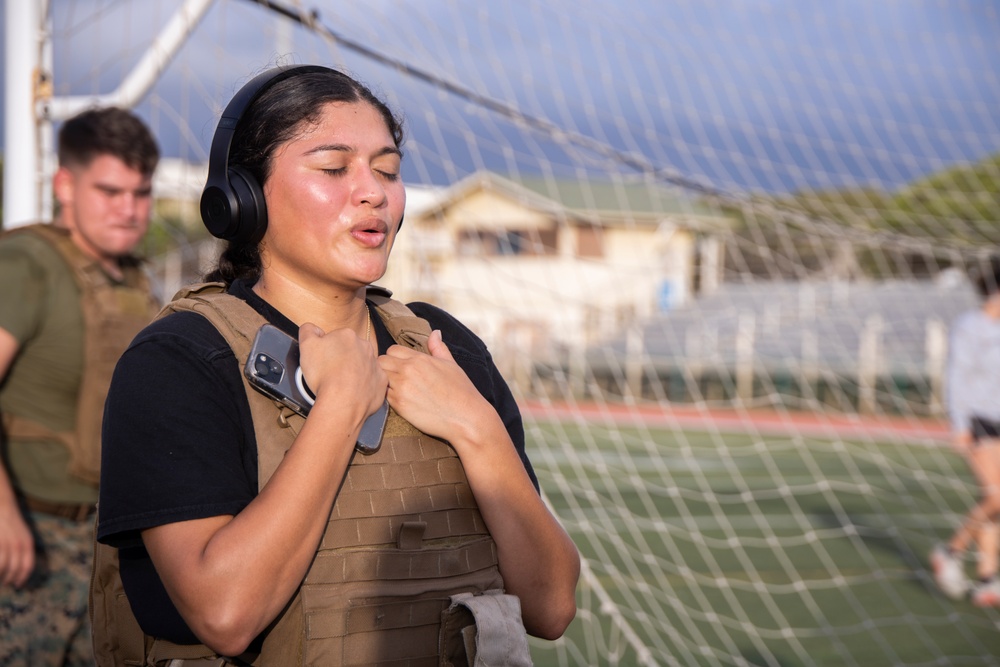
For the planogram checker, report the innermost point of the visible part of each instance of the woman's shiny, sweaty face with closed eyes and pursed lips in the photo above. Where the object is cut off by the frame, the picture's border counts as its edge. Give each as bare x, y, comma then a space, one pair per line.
334, 200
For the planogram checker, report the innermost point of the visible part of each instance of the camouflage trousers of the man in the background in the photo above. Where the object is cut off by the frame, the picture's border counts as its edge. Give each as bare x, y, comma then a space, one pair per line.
45, 622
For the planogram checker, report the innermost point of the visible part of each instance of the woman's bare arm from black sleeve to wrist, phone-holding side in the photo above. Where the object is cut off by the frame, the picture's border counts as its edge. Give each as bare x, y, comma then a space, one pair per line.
250, 565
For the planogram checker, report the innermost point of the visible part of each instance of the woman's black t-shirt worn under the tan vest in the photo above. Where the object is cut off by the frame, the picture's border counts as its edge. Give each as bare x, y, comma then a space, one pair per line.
179, 442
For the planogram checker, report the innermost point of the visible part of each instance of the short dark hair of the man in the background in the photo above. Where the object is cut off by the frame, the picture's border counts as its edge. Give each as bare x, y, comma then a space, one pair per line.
108, 131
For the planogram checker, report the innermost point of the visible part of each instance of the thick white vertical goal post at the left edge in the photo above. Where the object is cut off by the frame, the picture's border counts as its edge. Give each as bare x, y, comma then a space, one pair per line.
22, 161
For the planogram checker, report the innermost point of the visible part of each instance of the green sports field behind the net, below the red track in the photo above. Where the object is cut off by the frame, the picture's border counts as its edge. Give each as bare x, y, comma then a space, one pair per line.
711, 548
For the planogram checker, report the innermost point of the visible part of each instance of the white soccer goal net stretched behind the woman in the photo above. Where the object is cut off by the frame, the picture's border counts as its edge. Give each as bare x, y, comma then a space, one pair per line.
716, 248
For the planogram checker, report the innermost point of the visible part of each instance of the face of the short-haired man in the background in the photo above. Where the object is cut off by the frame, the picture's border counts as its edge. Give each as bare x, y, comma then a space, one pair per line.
106, 206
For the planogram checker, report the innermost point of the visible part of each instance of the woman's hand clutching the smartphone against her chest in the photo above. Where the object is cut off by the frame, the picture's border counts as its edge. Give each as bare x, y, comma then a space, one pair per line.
341, 365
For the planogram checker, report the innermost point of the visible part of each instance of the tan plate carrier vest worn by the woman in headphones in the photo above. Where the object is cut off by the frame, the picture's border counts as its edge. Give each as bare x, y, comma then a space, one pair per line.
405, 569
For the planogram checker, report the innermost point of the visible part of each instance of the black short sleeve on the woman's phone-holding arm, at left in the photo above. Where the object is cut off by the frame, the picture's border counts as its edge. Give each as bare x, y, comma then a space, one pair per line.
178, 437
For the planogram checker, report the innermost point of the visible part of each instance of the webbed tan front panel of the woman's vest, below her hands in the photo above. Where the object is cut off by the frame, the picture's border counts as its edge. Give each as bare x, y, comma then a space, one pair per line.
405, 534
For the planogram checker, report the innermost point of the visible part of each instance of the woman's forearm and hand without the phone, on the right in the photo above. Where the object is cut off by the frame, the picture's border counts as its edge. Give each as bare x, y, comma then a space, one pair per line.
538, 560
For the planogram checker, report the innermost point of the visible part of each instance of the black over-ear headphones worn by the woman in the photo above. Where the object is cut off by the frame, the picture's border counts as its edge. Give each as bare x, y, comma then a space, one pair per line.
232, 203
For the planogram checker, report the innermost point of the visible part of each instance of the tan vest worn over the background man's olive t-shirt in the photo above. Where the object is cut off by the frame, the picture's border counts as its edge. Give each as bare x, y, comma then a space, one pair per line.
112, 315
